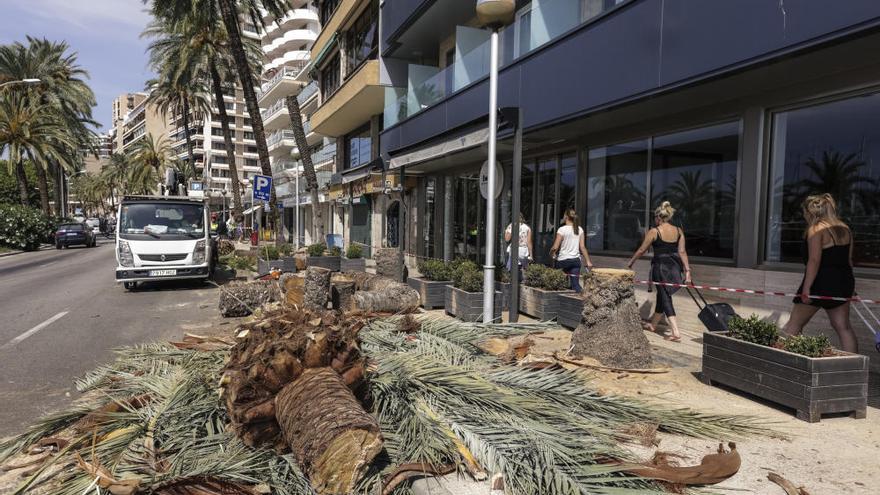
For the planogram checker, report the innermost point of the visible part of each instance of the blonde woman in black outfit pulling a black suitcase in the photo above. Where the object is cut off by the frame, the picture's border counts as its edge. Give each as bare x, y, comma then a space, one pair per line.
669, 264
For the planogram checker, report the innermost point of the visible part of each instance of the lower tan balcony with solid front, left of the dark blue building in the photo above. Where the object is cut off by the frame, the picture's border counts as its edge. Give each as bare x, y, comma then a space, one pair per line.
359, 98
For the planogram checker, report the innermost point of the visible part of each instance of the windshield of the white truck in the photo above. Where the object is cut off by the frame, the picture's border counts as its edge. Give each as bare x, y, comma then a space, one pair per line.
162, 220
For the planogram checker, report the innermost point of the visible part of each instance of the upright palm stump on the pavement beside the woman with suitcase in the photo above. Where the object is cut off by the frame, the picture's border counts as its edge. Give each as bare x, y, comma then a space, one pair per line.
611, 328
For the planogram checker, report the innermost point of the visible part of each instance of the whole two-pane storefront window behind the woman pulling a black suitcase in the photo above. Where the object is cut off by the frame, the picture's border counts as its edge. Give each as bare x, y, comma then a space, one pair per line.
694, 170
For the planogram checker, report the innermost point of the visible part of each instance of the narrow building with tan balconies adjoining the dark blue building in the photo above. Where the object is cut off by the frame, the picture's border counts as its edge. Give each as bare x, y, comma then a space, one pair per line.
350, 100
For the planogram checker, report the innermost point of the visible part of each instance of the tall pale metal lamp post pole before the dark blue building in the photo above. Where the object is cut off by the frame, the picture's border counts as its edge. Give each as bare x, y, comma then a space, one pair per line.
489, 267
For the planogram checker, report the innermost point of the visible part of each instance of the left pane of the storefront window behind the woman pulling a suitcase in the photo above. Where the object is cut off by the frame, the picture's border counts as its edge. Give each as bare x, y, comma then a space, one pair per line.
617, 182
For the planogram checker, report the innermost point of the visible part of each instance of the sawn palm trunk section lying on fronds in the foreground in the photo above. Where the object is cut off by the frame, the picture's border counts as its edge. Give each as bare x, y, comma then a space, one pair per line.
333, 439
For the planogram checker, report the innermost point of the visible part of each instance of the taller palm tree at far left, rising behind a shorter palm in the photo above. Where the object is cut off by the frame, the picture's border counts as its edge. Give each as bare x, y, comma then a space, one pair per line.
63, 88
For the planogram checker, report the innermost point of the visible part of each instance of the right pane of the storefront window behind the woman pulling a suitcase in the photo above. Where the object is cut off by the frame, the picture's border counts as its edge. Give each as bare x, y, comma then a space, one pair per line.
696, 171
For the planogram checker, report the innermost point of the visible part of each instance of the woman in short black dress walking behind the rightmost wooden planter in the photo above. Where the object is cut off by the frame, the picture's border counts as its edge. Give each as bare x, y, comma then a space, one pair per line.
828, 257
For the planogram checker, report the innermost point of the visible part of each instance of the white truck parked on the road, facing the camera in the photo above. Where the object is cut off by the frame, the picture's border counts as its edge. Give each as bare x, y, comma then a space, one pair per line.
163, 238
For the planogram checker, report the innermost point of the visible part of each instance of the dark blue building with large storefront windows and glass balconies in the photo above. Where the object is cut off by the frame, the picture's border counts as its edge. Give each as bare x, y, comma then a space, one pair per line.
733, 111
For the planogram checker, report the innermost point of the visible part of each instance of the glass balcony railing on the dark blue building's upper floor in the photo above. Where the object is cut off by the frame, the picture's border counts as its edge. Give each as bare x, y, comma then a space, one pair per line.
544, 22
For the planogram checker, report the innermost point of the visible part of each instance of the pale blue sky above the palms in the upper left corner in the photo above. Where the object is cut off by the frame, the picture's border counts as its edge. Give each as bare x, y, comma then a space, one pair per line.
104, 33
